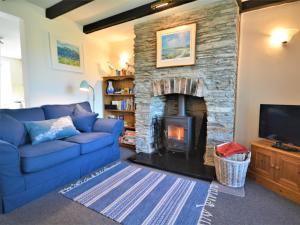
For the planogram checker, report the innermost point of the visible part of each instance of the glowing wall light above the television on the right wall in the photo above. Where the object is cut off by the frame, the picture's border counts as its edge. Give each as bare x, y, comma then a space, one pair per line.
281, 36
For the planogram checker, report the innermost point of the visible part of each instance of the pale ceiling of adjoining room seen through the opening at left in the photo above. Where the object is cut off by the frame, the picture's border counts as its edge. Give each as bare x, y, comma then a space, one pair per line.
10, 32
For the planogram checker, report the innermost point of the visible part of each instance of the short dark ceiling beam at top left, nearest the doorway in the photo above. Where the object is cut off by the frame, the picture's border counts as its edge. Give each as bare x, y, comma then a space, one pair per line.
64, 6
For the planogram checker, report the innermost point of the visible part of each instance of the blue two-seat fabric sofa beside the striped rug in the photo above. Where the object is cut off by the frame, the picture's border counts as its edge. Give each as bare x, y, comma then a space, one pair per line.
30, 171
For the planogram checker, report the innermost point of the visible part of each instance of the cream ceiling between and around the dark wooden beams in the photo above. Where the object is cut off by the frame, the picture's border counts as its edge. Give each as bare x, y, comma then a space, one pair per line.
100, 9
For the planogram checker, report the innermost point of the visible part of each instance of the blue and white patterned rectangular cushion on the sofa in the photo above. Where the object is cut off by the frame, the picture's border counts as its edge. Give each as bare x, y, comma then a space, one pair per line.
48, 130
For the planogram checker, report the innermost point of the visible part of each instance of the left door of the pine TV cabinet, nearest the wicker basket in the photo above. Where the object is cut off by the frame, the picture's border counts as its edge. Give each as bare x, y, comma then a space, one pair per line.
263, 162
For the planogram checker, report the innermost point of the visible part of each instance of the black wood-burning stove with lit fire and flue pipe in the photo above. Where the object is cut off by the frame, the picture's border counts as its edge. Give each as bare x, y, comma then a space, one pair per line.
178, 130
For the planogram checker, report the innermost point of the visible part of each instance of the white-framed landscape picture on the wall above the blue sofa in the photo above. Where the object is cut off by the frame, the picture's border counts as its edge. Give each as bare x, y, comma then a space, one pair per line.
66, 55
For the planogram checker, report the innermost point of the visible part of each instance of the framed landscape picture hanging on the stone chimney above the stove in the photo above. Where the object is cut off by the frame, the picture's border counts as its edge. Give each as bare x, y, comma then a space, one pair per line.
176, 46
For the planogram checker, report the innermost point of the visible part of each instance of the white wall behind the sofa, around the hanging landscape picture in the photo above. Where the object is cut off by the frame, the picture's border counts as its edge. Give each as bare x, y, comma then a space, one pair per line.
43, 84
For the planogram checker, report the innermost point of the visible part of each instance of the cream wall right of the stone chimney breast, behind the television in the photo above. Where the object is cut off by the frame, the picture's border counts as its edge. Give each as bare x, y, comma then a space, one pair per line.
266, 74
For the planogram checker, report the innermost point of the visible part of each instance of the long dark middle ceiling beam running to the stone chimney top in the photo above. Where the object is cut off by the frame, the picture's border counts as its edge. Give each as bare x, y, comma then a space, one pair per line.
129, 15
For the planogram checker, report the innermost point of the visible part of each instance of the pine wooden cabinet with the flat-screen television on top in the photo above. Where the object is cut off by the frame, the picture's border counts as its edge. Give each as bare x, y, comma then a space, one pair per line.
276, 169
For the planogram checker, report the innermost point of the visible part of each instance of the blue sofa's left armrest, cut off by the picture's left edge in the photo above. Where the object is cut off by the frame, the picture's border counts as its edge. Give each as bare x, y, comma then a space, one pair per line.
11, 179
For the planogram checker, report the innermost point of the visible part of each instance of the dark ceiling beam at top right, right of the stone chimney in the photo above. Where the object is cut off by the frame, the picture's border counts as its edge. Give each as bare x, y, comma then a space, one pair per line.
251, 5
